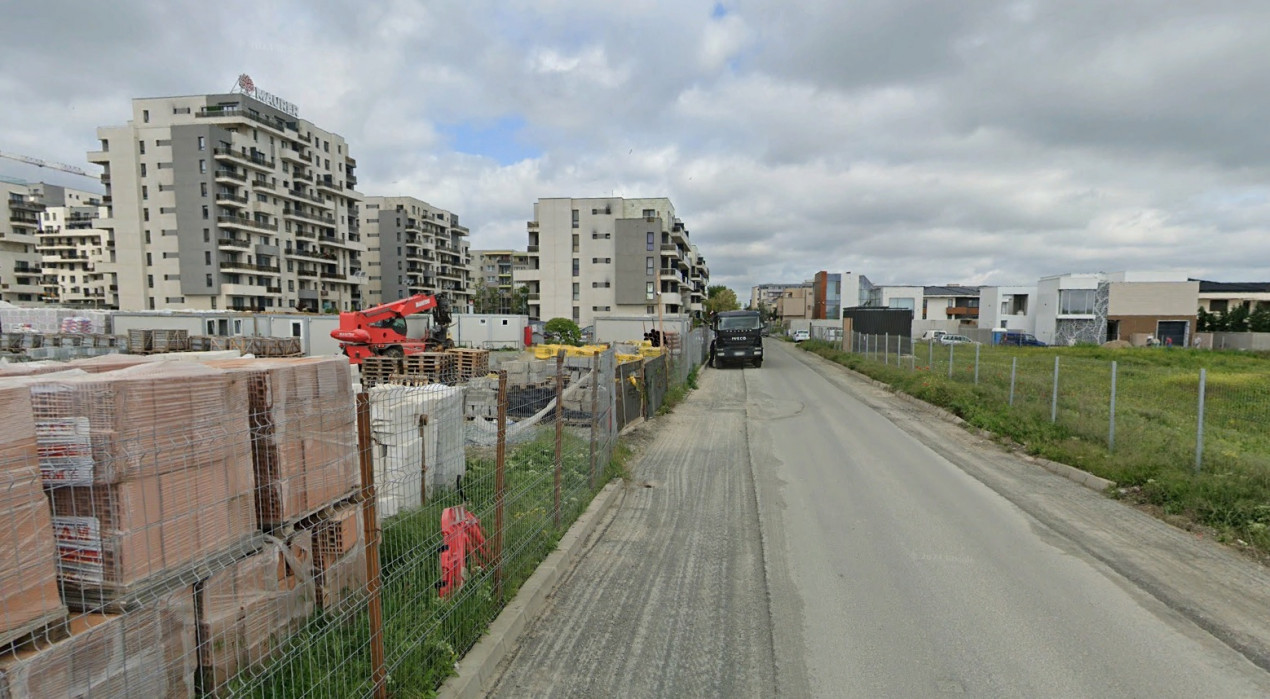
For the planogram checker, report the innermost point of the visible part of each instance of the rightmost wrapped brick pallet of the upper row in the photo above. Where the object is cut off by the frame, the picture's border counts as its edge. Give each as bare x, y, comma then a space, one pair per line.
304, 435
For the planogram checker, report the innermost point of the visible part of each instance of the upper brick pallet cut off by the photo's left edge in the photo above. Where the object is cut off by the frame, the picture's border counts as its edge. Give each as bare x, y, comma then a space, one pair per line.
29, 555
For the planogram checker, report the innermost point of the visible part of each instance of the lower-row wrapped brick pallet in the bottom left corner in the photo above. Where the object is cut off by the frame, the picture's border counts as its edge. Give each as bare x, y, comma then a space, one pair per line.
147, 654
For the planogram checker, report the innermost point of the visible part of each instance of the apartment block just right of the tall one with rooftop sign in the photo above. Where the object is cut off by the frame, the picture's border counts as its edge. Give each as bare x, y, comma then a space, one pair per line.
416, 248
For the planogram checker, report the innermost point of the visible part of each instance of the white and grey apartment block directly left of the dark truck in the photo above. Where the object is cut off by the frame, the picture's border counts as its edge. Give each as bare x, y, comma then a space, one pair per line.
596, 257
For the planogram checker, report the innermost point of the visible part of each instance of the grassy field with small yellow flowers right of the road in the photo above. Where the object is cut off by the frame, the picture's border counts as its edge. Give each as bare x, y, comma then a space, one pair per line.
1154, 459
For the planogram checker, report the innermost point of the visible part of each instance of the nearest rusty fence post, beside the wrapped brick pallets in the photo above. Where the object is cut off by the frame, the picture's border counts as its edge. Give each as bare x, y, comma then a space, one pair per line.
371, 536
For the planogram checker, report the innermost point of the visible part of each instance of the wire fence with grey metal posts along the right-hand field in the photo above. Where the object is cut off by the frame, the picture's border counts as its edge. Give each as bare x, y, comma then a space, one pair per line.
1178, 414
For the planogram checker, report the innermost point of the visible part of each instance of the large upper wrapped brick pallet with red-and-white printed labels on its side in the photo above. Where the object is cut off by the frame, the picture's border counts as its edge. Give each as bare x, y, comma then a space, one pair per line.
149, 472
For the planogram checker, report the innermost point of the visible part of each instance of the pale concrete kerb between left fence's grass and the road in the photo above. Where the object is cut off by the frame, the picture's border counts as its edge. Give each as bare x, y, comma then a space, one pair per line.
479, 667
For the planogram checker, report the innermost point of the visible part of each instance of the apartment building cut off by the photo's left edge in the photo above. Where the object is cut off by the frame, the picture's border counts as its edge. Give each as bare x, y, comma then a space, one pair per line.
20, 261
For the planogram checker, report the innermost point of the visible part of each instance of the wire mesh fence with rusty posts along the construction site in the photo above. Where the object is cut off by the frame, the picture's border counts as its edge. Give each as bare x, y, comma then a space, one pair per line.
269, 528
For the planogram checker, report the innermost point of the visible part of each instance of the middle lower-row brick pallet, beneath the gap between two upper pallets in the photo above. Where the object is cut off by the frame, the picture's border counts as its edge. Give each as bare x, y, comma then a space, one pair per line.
251, 608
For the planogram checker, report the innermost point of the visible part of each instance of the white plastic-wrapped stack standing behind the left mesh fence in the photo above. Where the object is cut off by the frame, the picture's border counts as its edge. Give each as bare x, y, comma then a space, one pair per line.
418, 435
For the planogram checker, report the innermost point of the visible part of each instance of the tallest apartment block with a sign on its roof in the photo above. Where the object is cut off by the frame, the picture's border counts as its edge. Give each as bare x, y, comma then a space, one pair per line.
231, 201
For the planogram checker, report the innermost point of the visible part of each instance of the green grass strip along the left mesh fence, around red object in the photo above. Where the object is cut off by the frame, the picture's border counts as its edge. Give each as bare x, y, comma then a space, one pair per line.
424, 635
